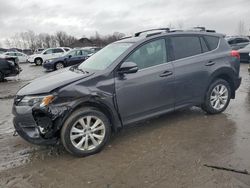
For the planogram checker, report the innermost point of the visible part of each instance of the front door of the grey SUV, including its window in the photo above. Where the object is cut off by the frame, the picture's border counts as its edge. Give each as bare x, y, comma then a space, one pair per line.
149, 91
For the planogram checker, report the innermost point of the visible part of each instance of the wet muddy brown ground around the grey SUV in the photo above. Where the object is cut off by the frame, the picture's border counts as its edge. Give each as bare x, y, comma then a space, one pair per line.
168, 151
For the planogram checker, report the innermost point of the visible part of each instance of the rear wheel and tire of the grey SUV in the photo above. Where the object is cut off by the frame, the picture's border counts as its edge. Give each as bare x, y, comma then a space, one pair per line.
217, 97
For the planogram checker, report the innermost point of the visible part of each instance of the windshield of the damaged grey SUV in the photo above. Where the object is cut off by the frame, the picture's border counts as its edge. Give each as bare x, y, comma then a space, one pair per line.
105, 57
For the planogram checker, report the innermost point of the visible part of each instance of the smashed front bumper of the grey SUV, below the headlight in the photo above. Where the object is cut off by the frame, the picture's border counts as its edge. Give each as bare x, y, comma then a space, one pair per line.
39, 125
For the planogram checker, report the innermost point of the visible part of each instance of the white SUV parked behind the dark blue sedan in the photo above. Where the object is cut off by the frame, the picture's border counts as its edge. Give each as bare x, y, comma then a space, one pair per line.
47, 54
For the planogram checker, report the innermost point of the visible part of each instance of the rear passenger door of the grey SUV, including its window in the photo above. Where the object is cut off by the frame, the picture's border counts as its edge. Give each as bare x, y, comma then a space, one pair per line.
191, 68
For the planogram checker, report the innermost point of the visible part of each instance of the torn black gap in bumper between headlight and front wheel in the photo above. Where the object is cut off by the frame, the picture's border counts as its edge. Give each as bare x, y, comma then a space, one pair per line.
50, 119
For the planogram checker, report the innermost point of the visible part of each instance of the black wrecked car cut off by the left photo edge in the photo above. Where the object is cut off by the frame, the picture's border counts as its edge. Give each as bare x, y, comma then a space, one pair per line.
9, 67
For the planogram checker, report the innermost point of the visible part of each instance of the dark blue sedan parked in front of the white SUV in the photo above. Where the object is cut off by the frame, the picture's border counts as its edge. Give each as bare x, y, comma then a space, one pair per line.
72, 57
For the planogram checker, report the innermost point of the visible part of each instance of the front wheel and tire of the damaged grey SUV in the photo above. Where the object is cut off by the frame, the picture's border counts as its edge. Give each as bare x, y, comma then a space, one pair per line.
76, 130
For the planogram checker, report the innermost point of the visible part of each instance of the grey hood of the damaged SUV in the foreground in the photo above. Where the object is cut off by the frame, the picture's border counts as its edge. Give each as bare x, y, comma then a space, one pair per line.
52, 81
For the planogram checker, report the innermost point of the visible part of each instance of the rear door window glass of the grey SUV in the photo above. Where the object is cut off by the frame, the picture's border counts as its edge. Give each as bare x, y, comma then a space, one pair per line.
186, 46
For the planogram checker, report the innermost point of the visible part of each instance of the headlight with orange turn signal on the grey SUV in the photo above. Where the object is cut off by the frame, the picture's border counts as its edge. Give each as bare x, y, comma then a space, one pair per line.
32, 100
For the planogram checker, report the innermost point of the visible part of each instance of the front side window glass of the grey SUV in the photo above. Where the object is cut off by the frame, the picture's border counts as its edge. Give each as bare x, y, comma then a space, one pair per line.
150, 54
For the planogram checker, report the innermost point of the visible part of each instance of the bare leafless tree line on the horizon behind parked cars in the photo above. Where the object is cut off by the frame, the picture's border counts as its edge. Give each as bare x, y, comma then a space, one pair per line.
31, 40
